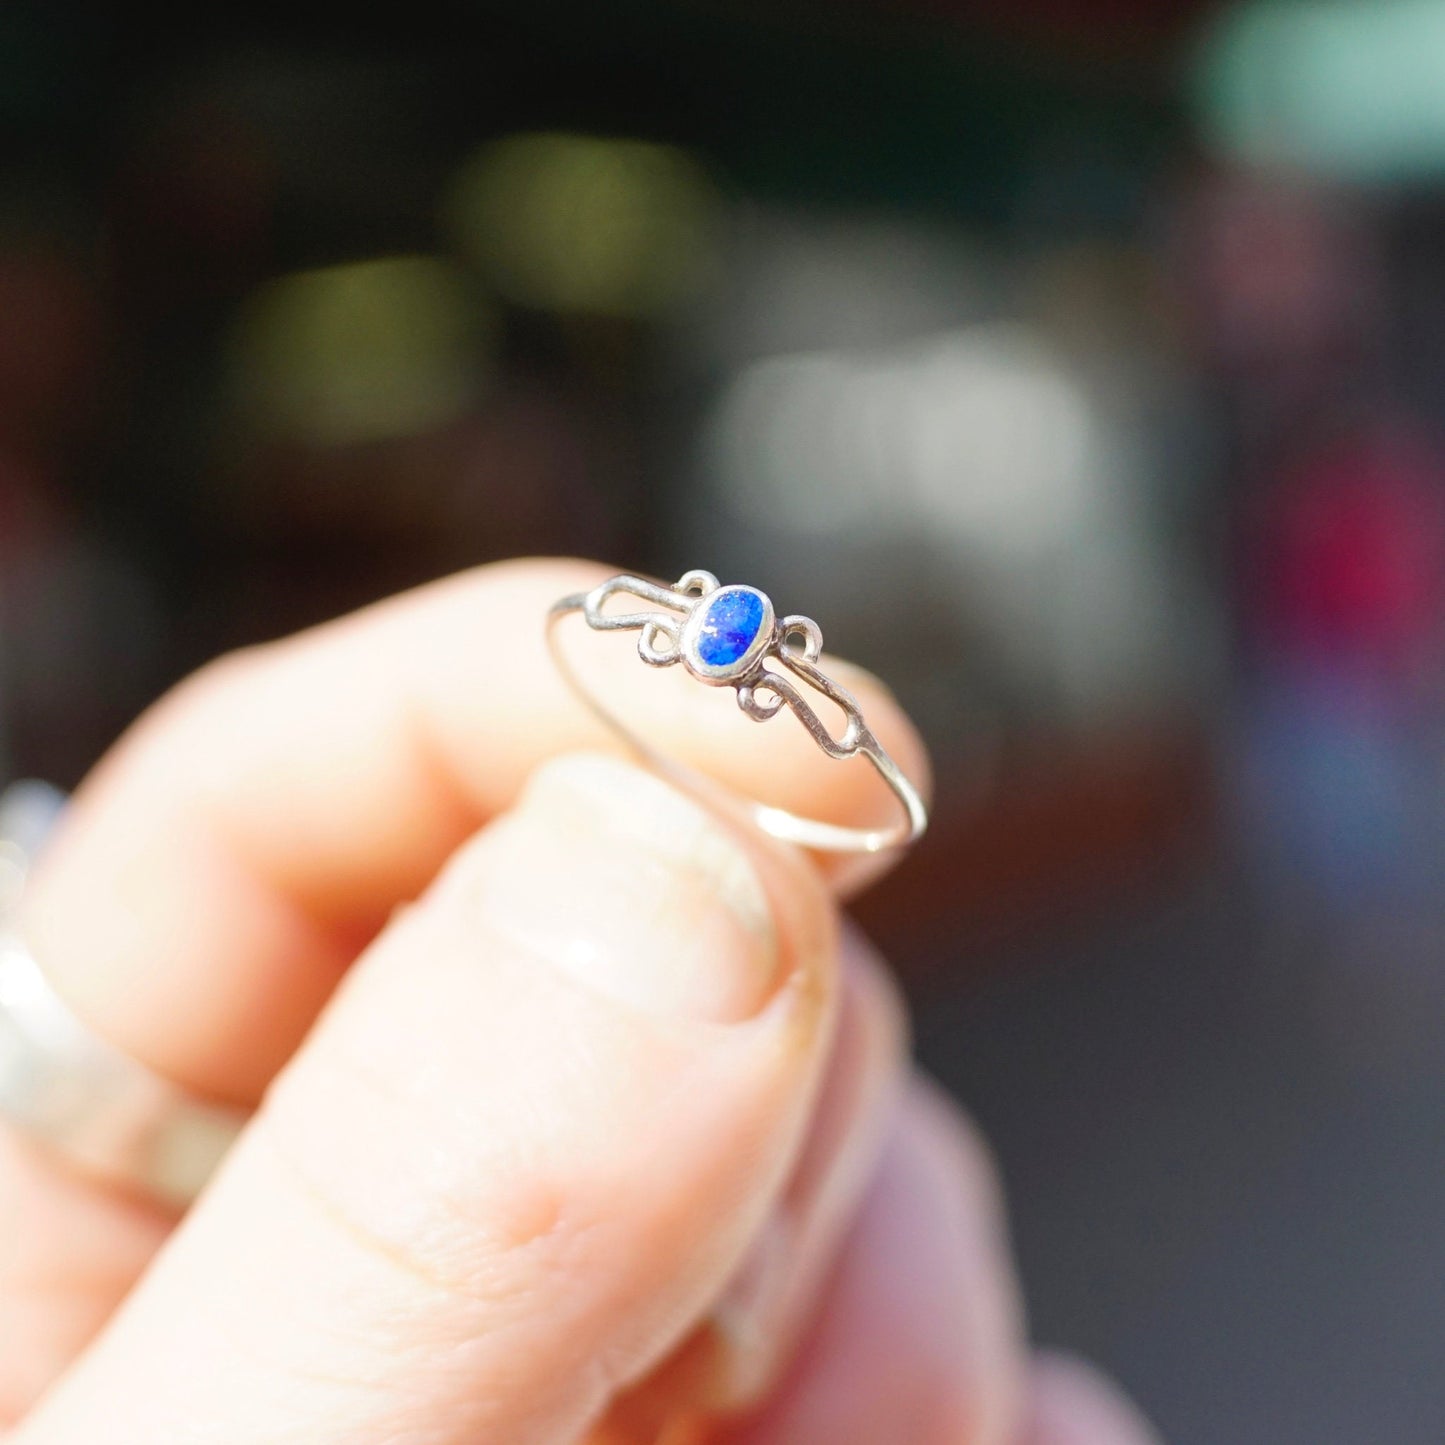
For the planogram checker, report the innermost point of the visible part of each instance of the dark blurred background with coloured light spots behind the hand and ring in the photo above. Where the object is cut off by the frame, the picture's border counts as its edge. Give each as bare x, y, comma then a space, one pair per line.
1079, 366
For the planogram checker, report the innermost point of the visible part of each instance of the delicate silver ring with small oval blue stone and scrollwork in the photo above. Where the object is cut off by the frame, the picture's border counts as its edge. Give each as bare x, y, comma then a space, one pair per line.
728, 637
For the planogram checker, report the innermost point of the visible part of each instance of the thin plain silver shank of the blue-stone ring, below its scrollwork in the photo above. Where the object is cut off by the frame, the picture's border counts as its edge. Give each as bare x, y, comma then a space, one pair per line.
808, 833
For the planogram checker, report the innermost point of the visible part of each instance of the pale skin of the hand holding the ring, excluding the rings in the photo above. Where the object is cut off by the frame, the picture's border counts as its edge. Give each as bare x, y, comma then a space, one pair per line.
596, 1141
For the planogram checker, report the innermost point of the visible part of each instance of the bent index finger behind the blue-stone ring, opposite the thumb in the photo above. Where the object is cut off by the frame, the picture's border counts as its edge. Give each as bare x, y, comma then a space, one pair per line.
238, 849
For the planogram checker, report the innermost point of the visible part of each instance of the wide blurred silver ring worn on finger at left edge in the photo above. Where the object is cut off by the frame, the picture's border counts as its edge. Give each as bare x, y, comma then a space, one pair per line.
80, 1096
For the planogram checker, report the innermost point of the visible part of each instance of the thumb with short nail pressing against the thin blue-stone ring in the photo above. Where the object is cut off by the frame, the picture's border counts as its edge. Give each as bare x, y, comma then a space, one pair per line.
519, 1157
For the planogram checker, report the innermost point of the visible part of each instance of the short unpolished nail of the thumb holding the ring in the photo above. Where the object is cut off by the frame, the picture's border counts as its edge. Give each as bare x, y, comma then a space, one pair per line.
632, 889
